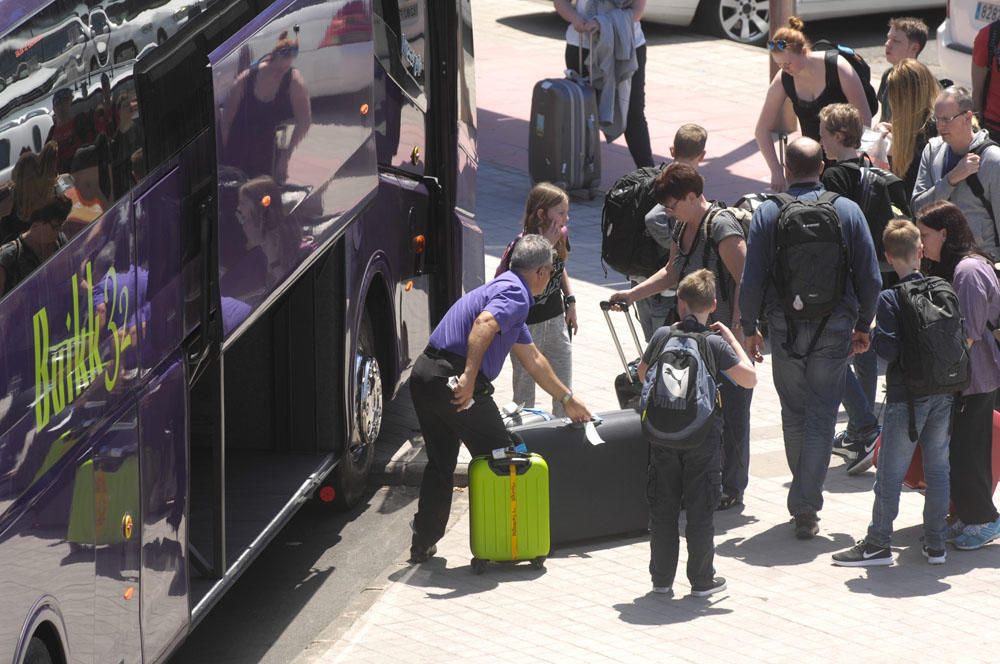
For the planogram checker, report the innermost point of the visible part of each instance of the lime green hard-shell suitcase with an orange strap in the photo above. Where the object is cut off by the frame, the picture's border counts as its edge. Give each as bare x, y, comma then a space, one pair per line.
509, 510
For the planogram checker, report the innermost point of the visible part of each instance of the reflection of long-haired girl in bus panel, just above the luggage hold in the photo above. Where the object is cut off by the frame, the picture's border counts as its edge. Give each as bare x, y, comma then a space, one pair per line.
263, 221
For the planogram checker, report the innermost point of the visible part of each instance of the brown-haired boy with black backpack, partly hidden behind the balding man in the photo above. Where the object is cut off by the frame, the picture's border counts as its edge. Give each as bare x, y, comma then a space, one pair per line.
882, 197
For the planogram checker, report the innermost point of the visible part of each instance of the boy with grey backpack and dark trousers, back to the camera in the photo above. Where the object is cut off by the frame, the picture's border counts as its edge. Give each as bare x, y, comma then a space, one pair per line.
681, 420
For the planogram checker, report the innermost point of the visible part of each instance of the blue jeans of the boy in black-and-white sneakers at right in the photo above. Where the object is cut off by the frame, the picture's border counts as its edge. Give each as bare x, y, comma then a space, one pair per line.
933, 419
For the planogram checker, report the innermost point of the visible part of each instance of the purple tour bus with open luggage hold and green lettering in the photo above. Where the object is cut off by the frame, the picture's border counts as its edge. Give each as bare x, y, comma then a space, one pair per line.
271, 207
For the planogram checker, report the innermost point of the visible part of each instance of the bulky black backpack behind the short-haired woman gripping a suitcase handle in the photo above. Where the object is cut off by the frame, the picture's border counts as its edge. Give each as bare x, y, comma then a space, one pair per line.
626, 245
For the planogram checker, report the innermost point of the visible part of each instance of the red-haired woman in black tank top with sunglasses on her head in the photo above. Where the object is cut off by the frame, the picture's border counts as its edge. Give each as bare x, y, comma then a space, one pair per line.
811, 80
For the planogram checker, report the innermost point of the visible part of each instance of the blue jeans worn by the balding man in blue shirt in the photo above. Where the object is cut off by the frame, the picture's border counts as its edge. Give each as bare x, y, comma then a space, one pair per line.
809, 390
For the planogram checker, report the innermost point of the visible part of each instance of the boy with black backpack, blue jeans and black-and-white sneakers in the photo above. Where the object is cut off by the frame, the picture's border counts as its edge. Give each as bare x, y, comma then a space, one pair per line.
919, 331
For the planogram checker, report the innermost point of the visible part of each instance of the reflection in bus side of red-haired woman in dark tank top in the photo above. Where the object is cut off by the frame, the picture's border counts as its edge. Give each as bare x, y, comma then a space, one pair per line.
262, 102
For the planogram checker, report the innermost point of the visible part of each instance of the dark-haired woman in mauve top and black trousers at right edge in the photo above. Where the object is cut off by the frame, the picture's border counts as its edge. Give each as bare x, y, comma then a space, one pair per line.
951, 251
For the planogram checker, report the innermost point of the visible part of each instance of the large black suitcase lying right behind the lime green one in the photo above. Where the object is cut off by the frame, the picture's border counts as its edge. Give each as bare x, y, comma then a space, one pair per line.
594, 490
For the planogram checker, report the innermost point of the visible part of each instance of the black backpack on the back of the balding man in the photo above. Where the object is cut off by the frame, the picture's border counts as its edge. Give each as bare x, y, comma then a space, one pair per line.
810, 262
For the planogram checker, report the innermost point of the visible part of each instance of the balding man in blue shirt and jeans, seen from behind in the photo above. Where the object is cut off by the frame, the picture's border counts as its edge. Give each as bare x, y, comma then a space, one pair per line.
809, 382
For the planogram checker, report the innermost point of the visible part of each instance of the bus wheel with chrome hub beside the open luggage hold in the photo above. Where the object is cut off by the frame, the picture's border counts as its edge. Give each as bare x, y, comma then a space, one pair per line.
351, 478
